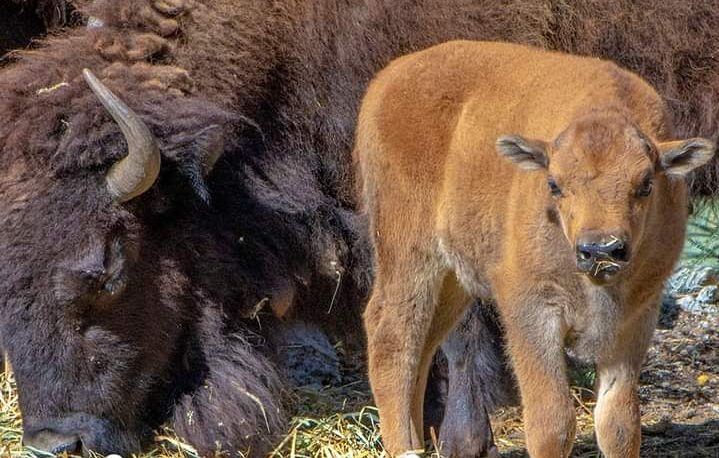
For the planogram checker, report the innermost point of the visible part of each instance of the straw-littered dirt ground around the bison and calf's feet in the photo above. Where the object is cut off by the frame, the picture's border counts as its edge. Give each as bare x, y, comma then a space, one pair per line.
679, 394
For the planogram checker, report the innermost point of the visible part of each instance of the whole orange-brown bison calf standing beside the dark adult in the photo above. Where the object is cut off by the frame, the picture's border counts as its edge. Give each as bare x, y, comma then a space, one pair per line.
572, 232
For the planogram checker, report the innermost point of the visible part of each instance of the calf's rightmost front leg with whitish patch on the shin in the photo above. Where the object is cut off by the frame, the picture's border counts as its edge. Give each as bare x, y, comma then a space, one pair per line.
617, 417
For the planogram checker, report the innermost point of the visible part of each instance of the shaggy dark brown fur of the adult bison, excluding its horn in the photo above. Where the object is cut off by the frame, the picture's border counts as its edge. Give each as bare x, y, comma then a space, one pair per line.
118, 315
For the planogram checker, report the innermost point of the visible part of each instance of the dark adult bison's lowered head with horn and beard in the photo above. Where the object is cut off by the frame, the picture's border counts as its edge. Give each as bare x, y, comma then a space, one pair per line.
97, 310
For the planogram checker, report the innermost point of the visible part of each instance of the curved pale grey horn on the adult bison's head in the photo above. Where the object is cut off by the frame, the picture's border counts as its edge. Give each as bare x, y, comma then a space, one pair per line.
131, 176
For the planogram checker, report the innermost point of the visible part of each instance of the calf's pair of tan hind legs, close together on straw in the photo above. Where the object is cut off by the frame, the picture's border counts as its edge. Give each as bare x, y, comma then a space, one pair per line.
405, 321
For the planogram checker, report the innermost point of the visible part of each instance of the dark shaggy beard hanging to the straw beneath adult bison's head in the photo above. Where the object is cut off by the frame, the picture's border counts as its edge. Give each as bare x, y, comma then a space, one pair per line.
237, 405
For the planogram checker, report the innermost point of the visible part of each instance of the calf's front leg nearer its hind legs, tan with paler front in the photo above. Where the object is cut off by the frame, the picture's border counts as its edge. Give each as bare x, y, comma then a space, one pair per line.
535, 338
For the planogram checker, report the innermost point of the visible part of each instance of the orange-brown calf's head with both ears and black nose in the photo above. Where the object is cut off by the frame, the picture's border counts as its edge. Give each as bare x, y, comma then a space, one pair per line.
605, 177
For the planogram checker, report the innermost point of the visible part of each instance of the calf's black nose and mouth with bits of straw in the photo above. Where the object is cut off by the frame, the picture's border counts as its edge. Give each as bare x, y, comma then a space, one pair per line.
601, 253
